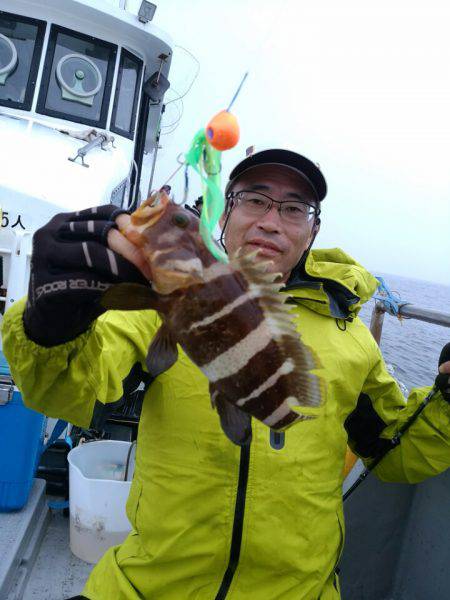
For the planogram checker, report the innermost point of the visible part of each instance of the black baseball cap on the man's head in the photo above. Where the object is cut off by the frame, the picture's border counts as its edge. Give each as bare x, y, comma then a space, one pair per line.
299, 163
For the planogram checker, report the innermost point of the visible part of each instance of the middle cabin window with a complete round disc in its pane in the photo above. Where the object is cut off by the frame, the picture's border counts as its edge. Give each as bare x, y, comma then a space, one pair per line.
77, 77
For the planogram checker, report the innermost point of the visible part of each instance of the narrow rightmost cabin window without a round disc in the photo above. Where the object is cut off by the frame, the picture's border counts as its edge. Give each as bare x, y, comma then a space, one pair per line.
127, 94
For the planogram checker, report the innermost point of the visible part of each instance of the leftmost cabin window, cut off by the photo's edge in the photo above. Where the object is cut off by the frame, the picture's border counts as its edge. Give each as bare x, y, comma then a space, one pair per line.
20, 49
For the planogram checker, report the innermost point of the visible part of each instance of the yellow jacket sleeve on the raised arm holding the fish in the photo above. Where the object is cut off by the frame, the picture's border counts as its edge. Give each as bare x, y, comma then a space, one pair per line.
76, 381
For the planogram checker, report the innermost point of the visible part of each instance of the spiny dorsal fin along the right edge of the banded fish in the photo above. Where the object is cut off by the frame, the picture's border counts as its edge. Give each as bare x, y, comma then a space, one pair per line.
310, 388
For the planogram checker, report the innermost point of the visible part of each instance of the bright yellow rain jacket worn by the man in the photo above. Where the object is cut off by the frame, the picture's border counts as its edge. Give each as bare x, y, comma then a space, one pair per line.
211, 520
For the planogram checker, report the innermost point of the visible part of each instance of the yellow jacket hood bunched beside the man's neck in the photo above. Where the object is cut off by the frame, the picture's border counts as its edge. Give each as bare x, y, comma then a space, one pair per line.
332, 283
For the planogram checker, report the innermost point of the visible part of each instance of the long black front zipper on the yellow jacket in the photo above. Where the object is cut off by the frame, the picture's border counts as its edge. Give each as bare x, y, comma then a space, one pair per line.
238, 522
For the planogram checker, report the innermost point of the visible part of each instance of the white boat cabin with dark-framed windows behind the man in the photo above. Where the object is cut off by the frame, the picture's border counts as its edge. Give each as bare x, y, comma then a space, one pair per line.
82, 84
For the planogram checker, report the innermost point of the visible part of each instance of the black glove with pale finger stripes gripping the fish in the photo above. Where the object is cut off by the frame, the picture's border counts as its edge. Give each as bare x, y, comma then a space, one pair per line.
71, 267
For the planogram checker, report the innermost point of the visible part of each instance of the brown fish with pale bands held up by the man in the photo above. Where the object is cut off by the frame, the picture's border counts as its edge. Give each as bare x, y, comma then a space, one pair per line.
230, 319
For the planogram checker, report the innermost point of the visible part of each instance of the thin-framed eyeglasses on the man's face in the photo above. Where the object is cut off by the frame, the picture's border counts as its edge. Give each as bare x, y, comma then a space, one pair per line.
257, 204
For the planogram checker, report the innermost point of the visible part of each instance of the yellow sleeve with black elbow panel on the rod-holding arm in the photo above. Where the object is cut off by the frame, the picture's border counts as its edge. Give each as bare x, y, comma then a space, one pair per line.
381, 411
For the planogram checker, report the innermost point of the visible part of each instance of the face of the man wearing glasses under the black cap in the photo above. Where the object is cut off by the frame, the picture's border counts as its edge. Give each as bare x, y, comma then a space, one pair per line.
275, 239
